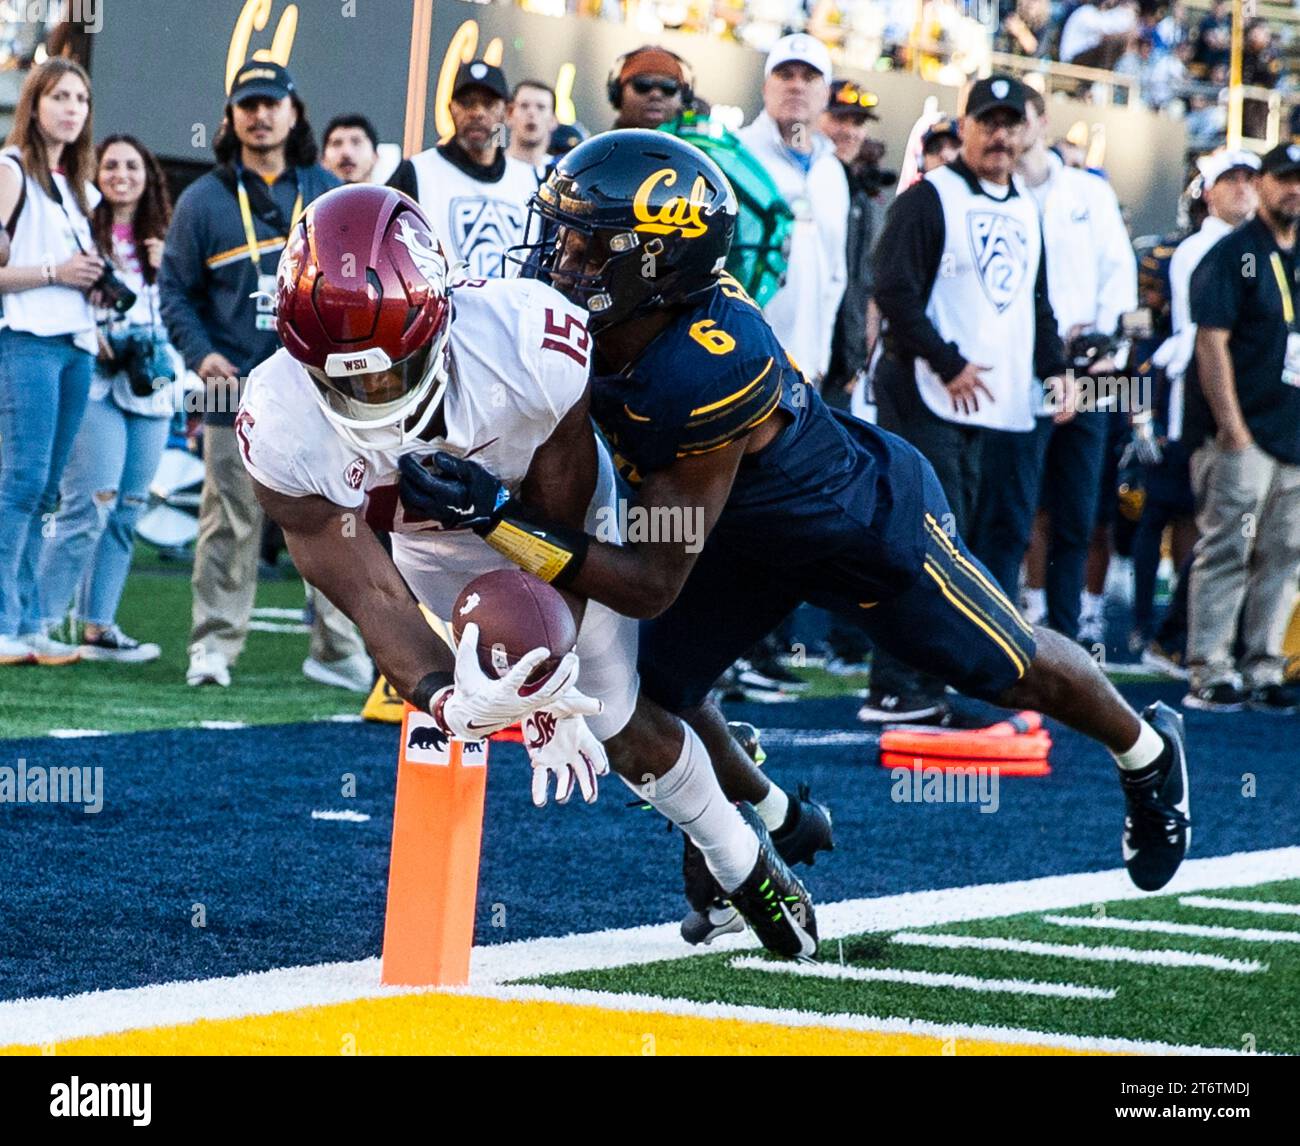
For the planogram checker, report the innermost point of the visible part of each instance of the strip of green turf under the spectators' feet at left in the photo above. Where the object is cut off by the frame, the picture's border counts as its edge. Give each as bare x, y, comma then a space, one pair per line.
268, 685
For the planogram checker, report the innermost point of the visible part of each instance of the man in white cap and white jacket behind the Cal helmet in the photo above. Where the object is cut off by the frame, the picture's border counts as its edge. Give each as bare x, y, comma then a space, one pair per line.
785, 140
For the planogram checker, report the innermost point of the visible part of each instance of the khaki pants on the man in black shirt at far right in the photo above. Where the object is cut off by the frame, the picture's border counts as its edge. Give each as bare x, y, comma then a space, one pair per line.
1245, 571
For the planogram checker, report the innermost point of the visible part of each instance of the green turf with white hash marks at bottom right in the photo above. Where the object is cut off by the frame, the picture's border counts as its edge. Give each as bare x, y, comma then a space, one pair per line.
1184, 1006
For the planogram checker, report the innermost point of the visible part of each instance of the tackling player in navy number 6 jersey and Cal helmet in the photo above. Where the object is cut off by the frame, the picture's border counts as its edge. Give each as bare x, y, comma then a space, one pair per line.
713, 424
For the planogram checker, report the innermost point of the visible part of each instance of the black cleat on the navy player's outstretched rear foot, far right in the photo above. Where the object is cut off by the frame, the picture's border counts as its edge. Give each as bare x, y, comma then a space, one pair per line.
1158, 826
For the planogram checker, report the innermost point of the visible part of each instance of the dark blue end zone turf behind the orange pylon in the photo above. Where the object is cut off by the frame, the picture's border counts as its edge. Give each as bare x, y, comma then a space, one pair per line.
224, 819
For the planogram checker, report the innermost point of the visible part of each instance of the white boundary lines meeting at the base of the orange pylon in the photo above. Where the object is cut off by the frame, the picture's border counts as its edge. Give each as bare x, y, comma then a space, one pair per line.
46, 1021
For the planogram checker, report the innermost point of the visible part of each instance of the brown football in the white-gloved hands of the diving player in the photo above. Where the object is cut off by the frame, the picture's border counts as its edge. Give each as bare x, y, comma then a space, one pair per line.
517, 613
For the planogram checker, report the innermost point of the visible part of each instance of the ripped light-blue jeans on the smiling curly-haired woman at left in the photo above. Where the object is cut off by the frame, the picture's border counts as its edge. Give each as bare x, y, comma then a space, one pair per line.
105, 490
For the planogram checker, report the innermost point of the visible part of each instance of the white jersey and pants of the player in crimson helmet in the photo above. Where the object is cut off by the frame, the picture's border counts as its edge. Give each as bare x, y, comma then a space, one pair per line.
519, 363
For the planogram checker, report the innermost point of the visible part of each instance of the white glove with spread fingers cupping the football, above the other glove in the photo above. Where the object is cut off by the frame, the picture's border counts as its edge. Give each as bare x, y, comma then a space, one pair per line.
476, 706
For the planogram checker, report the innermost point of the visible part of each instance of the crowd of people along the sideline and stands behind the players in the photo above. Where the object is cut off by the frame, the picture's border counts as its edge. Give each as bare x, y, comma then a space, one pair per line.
1081, 398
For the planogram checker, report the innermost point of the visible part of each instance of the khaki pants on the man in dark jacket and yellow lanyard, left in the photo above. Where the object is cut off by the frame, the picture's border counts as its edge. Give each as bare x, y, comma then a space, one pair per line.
226, 562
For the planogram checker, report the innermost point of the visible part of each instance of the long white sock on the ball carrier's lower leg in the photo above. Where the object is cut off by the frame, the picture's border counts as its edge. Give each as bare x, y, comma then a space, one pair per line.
691, 797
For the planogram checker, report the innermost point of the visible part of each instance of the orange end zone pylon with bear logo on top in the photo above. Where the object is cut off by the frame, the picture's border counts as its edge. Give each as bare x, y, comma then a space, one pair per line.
434, 874
